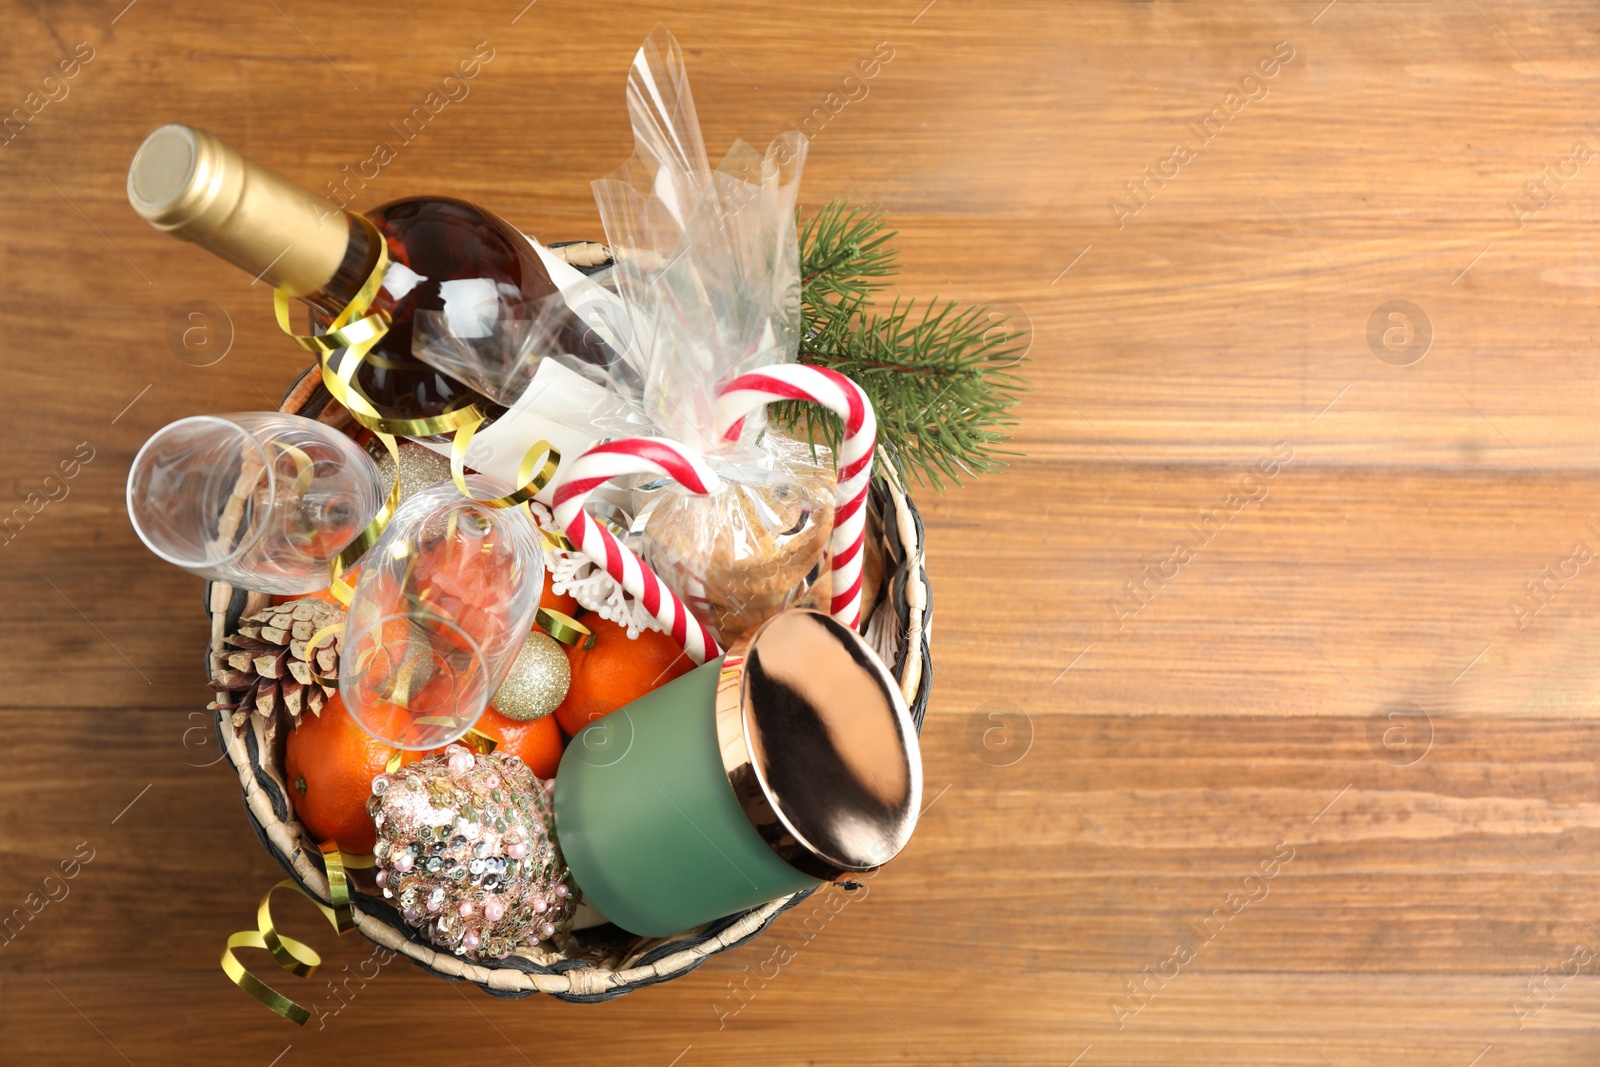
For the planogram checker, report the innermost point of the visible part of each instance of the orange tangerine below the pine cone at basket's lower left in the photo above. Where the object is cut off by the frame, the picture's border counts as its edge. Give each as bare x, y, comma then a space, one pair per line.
330, 764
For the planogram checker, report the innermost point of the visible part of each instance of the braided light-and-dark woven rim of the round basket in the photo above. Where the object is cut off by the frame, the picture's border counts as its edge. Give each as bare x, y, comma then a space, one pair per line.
570, 980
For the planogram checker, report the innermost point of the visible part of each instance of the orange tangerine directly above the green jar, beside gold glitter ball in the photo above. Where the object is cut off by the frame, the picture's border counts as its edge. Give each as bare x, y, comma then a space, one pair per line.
610, 671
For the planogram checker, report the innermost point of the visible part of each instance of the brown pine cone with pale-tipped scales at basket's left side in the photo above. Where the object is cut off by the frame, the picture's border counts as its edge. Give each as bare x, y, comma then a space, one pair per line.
268, 669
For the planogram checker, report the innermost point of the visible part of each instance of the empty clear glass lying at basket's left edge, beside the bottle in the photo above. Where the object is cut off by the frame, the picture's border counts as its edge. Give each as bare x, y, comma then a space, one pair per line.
258, 500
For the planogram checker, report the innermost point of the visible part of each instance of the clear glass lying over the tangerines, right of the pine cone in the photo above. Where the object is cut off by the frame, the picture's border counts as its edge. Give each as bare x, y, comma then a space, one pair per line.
444, 605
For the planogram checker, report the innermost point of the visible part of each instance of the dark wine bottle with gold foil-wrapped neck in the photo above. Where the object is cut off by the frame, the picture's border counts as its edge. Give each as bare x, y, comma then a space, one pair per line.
201, 190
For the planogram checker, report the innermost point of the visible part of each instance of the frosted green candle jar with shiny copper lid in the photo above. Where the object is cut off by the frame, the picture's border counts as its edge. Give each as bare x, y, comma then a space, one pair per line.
788, 762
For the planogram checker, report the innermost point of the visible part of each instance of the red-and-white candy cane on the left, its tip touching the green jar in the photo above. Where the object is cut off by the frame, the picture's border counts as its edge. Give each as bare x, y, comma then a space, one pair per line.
598, 466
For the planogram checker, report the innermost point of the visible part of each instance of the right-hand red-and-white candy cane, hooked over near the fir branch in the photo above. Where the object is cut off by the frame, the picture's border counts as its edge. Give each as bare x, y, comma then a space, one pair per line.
846, 399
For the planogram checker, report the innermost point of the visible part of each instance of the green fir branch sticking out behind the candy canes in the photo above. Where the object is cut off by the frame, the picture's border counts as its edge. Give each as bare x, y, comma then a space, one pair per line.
943, 382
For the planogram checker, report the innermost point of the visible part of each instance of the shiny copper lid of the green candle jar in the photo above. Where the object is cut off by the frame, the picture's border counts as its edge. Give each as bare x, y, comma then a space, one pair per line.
818, 745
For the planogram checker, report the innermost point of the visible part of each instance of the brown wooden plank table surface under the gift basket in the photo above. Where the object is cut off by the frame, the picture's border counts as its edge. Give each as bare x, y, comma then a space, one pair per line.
1321, 793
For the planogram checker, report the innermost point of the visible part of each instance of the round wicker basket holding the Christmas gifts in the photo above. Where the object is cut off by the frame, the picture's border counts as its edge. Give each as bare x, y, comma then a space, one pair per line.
604, 962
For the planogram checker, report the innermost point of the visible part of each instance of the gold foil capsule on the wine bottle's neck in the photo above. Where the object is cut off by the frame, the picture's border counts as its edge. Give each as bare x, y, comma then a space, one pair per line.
201, 190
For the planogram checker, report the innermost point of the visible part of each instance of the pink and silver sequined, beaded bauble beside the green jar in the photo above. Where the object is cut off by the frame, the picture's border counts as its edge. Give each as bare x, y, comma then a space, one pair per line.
465, 850
